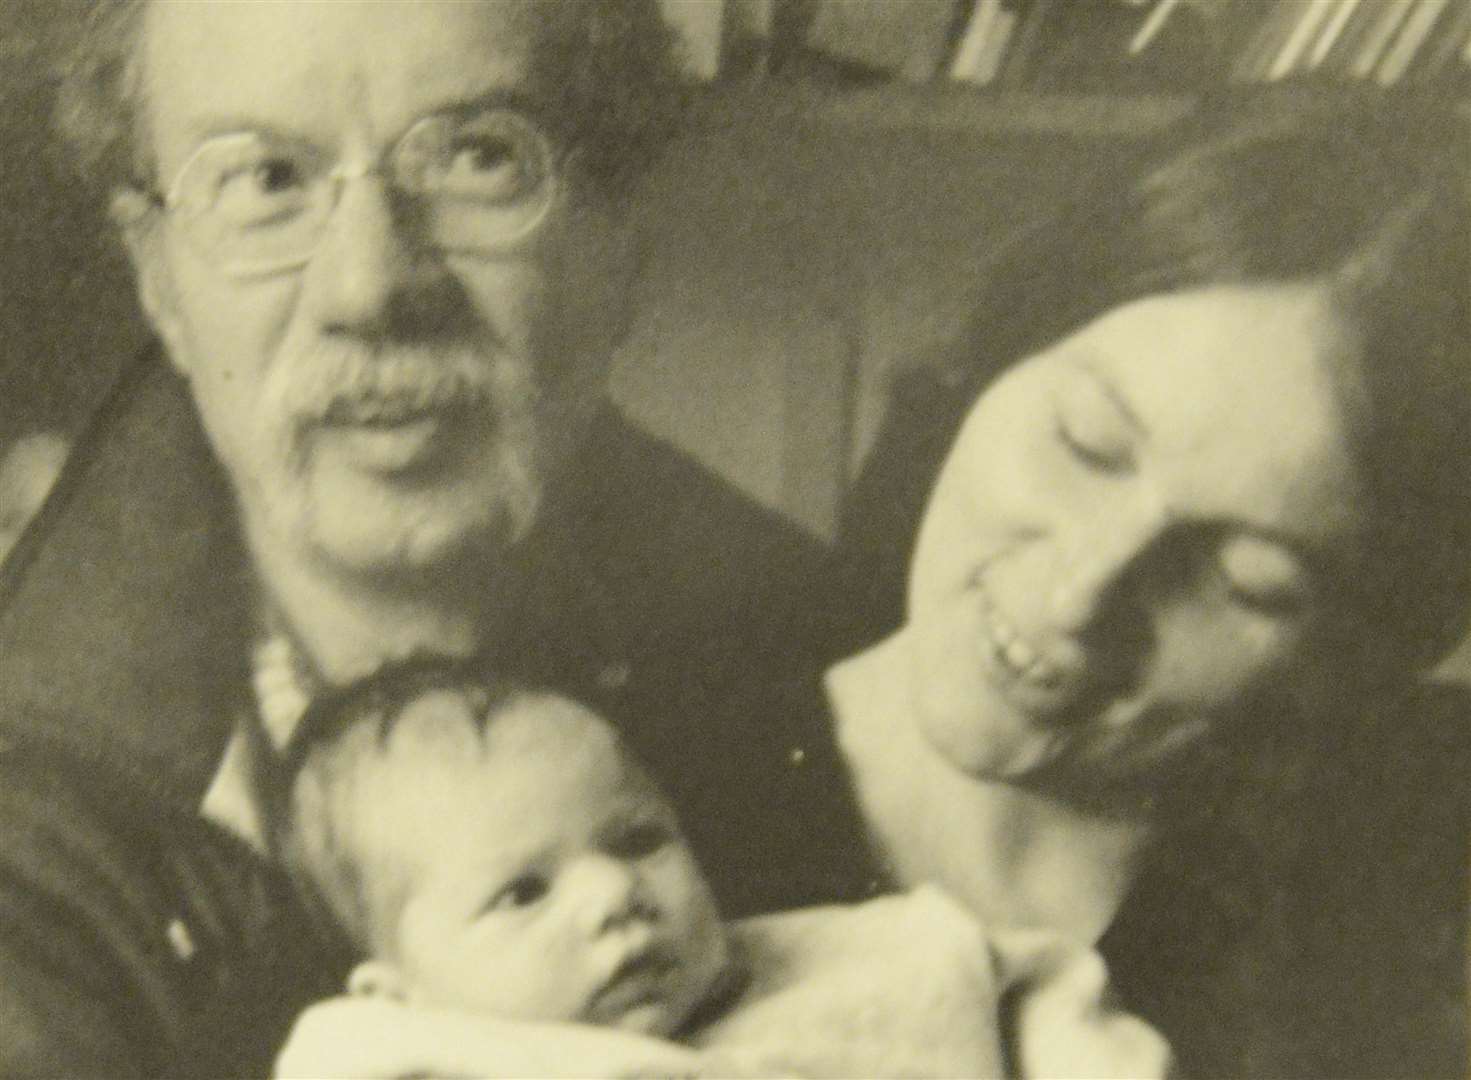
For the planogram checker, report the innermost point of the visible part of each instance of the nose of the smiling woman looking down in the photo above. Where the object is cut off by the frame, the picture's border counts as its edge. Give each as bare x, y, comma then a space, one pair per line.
1097, 563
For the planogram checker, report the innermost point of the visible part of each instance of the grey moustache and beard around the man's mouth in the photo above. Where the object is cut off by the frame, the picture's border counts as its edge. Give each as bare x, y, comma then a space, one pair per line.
489, 394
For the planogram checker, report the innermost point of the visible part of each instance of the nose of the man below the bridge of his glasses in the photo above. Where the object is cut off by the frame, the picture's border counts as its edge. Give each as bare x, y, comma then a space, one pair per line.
364, 260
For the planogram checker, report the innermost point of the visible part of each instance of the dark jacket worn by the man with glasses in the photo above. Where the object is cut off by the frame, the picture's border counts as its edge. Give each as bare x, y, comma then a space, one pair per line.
139, 939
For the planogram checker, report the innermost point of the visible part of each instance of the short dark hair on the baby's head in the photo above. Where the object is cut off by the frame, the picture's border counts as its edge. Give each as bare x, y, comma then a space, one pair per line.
318, 769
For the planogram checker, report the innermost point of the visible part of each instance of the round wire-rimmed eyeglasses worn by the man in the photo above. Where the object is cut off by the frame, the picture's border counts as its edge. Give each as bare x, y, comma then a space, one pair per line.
257, 205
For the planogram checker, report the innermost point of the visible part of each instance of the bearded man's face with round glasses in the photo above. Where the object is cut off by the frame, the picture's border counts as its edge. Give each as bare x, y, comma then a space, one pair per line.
386, 397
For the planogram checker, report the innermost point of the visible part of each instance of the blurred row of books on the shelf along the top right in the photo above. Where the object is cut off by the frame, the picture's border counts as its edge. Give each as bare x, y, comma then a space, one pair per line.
1113, 48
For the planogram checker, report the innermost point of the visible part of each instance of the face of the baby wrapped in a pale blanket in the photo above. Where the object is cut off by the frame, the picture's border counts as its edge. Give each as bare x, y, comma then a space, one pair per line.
549, 878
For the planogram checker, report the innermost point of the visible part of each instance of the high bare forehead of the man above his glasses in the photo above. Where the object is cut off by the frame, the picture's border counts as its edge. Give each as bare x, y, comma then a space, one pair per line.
323, 68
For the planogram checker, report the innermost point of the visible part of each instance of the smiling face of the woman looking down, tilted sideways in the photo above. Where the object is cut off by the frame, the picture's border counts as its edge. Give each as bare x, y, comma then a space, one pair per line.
1136, 533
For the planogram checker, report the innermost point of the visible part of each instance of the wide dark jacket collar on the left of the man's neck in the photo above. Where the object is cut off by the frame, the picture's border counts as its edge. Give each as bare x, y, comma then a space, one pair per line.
124, 608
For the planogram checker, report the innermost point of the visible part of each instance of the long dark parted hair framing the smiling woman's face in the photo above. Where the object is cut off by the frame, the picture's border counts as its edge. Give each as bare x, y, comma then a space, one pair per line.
1367, 193
